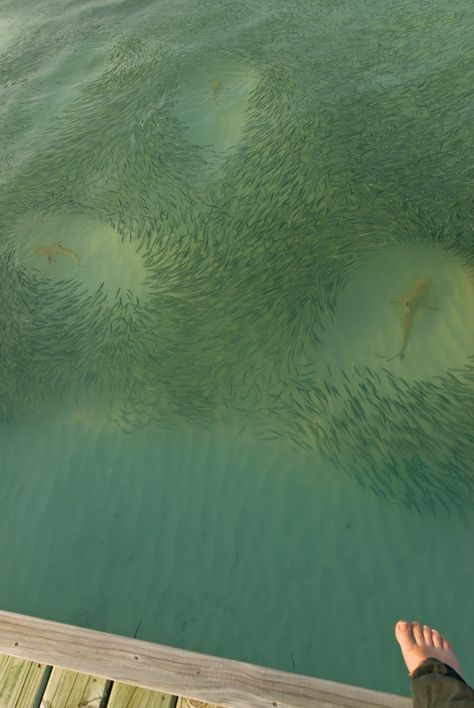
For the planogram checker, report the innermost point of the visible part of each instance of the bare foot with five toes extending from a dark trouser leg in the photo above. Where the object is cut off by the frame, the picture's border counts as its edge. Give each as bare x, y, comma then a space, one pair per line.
418, 642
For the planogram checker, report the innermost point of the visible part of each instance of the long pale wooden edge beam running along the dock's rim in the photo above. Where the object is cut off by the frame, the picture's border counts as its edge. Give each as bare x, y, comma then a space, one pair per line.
228, 683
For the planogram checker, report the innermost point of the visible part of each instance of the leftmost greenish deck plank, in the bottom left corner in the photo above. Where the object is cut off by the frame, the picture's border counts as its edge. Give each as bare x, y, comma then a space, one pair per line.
19, 681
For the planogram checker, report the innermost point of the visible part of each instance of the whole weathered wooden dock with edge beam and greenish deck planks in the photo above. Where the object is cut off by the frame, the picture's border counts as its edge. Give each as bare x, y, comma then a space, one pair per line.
51, 665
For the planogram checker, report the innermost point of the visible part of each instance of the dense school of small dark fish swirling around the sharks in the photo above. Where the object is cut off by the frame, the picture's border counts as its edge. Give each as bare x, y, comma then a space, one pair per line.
245, 253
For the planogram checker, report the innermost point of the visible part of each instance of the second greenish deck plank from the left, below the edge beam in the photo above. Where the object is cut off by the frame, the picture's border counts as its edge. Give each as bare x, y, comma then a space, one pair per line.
68, 689
